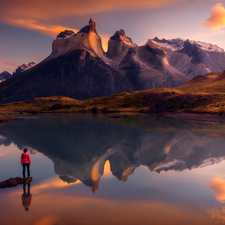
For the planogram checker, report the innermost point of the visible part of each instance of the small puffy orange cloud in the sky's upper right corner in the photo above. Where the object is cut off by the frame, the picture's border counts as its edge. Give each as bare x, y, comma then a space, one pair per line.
216, 19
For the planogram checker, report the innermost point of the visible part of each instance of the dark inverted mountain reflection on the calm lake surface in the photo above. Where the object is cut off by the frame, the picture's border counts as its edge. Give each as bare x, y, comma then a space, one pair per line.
79, 145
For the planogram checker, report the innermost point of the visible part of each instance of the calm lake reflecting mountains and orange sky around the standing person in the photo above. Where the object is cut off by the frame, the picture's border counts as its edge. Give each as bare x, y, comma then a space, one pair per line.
135, 169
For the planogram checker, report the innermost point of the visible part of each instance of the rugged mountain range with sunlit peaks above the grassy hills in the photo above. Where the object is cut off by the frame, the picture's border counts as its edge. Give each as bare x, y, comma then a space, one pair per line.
79, 68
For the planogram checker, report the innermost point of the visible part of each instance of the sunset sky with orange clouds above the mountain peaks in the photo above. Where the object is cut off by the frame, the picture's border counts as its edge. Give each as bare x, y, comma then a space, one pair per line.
28, 28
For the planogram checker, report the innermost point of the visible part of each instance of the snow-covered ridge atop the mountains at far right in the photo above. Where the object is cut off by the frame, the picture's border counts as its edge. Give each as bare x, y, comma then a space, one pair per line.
178, 43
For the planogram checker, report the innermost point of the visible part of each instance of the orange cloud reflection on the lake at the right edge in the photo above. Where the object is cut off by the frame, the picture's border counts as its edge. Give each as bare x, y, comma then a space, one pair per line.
217, 186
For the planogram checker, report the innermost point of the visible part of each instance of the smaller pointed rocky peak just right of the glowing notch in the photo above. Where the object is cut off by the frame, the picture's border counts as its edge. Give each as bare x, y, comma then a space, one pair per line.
119, 44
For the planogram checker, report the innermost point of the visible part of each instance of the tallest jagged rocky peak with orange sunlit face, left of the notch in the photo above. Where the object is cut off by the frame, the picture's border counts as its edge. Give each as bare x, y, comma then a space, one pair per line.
86, 39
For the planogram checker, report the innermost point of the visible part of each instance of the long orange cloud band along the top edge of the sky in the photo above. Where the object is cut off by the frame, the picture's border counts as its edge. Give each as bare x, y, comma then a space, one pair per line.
42, 9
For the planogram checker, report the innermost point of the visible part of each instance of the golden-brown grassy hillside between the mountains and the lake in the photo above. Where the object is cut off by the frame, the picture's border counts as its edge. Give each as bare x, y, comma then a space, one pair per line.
203, 94
